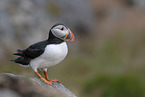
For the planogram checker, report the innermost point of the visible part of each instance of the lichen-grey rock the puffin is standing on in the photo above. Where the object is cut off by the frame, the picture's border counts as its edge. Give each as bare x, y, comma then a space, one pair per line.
20, 86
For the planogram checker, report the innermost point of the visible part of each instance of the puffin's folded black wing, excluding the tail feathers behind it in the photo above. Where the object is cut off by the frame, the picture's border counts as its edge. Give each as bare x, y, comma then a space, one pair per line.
35, 50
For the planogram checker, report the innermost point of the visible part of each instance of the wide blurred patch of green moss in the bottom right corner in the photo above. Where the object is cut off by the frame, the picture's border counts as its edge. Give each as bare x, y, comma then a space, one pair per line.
119, 86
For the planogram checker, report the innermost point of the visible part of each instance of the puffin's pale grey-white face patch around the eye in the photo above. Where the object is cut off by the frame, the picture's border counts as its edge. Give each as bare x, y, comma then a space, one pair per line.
60, 31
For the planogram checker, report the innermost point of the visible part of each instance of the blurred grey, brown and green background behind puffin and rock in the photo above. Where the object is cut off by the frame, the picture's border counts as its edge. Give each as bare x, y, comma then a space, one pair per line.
106, 60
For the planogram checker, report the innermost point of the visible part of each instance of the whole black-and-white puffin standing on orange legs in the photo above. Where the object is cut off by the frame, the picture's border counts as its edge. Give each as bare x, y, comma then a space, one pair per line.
47, 53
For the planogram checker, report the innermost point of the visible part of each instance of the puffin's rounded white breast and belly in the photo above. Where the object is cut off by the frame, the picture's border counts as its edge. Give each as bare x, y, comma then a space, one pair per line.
53, 54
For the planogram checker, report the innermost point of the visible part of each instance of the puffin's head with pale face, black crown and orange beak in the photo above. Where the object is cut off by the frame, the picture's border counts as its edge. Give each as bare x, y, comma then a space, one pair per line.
63, 32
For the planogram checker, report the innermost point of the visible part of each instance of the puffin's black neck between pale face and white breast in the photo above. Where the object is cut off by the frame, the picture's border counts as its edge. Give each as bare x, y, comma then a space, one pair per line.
53, 39
